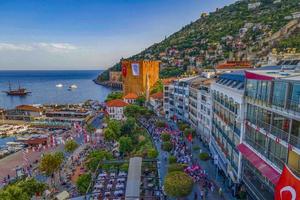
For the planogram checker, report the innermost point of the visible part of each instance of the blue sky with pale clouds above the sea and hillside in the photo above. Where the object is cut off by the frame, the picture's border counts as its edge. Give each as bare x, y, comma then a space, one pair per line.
88, 34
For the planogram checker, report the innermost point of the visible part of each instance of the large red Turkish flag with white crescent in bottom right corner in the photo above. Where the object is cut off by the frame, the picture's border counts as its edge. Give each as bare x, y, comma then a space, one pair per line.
288, 186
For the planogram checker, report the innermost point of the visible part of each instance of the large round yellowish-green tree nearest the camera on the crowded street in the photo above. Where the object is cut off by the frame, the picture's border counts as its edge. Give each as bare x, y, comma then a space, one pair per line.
178, 184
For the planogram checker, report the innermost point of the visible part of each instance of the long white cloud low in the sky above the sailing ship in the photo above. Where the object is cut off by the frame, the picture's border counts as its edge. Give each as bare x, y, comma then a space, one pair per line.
49, 47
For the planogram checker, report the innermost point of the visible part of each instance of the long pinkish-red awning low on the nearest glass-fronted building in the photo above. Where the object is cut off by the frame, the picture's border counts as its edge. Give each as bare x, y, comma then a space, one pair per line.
264, 168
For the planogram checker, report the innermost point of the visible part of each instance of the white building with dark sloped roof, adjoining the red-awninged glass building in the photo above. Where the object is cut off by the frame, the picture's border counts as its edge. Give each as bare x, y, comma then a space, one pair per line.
227, 127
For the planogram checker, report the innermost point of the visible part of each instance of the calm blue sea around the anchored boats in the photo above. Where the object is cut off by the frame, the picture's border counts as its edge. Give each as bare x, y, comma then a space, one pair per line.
42, 85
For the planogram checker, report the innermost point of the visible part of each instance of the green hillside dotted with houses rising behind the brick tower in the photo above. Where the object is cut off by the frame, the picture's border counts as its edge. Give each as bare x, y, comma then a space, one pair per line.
243, 30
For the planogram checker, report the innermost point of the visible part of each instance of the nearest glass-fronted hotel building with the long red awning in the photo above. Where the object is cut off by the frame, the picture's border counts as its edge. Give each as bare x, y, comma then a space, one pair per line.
272, 128
